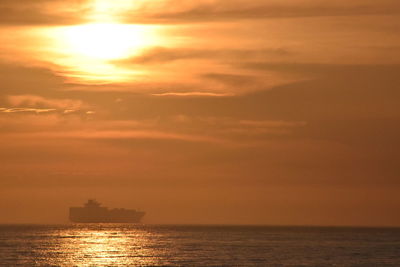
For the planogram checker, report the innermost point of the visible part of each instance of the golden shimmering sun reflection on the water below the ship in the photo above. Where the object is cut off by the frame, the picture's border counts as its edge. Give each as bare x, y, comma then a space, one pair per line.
106, 246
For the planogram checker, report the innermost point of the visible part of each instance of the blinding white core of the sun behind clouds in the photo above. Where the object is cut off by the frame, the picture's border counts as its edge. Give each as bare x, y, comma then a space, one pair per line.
104, 41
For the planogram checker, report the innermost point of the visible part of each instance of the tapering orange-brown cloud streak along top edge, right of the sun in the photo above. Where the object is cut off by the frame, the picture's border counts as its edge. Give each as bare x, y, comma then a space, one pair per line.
224, 10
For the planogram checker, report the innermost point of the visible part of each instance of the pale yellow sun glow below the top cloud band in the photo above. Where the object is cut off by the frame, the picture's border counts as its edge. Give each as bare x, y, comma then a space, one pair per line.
90, 52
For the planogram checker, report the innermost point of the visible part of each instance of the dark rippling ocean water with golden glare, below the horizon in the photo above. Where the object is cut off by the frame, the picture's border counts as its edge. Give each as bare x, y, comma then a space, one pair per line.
158, 245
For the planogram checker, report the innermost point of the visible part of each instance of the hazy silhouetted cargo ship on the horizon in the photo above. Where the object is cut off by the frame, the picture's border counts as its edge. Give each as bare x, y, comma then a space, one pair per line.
93, 212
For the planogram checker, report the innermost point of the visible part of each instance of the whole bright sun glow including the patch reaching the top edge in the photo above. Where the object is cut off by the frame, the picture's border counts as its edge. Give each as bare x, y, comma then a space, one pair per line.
93, 52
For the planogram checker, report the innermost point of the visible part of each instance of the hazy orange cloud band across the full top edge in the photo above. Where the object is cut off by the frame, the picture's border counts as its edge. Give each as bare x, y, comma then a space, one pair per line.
45, 12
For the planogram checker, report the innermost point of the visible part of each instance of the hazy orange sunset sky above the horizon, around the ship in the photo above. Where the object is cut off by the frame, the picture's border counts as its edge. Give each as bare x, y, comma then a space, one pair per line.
201, 112
